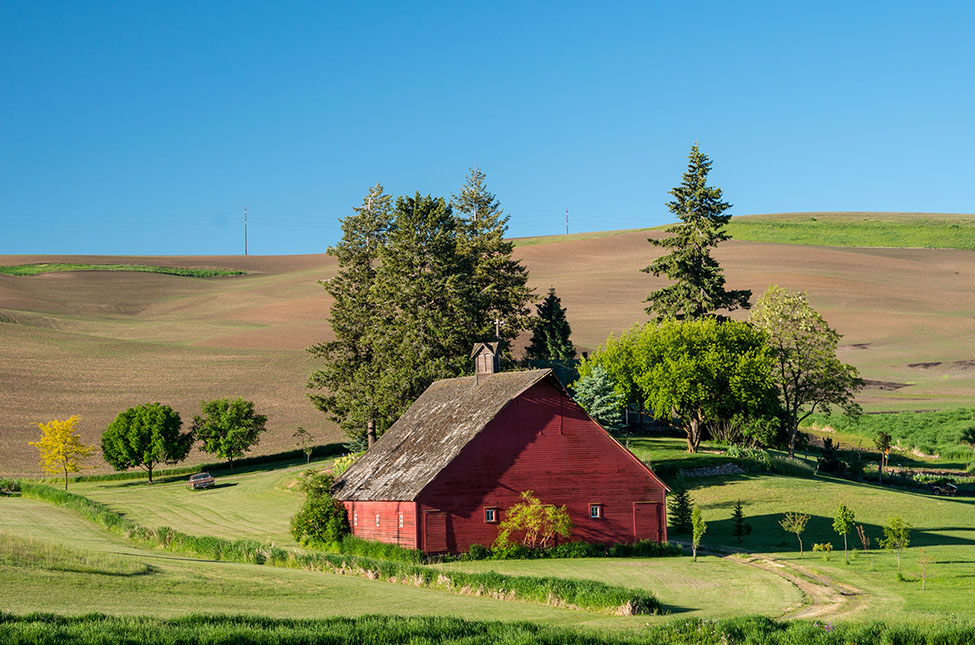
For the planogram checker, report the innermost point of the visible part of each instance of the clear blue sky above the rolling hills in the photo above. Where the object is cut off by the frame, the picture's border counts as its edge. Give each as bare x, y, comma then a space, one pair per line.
145, 127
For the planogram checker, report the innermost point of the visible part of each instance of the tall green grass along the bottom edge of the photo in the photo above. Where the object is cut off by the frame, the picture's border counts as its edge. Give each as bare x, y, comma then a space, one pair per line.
42, 629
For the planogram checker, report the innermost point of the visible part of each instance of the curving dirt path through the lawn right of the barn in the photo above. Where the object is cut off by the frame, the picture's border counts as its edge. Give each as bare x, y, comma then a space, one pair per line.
823, 597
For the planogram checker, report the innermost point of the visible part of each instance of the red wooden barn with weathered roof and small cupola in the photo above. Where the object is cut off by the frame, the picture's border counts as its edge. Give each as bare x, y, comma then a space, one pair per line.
442, 476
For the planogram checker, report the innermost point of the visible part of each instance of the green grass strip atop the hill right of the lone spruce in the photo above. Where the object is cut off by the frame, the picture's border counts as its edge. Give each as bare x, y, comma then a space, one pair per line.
900, 230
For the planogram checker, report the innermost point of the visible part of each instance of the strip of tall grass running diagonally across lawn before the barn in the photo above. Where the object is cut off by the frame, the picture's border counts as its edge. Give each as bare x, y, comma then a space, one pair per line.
585, 594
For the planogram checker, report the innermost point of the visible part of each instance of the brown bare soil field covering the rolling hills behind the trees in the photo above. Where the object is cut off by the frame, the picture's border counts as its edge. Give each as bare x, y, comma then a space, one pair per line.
95, 343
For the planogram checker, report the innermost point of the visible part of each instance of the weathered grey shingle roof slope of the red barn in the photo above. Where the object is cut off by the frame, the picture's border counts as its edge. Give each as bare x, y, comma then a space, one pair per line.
446, 417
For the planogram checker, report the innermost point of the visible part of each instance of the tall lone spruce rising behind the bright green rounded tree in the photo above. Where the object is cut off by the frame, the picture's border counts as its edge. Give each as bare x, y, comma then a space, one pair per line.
698, 288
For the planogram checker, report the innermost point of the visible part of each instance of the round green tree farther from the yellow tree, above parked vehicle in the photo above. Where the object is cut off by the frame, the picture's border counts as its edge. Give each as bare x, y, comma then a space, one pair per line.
228, 427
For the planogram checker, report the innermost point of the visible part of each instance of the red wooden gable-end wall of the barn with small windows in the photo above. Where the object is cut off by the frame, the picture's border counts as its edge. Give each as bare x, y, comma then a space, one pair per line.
544, 442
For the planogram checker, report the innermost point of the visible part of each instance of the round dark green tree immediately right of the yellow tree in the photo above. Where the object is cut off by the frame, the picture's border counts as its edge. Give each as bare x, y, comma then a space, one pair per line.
145, 436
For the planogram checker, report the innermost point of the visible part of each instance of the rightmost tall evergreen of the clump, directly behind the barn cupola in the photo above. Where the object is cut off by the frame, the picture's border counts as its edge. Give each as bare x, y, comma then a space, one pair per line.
501, 282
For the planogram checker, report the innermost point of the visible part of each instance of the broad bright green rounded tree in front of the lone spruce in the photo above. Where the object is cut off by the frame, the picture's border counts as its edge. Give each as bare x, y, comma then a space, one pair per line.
690, 372
